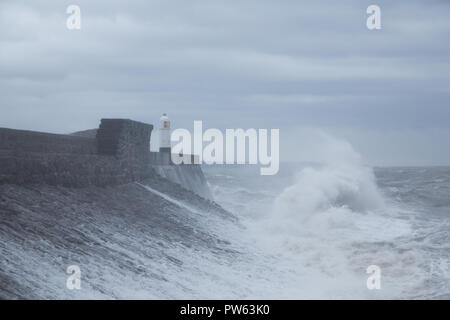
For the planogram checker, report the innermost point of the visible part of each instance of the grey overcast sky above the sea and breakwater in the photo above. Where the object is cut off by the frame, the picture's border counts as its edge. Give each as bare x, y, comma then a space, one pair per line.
293, 65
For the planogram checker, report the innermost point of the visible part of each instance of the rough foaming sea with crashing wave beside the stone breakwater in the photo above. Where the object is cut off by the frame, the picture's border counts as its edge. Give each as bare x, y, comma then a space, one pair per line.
315, 229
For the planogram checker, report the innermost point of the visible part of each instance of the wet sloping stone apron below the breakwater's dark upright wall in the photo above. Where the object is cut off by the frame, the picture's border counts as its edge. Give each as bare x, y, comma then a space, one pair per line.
128, 242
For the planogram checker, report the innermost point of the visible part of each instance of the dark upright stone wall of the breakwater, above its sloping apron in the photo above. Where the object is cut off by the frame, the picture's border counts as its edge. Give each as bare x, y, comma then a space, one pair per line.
118, 152
